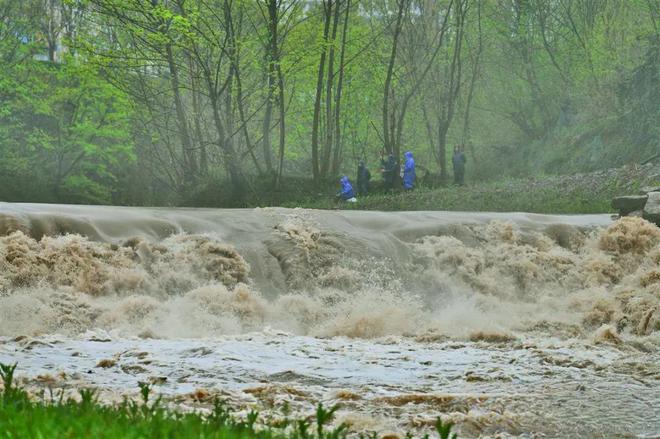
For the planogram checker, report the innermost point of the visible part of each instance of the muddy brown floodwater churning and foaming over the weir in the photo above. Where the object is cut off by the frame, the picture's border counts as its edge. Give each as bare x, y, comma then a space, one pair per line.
507, 324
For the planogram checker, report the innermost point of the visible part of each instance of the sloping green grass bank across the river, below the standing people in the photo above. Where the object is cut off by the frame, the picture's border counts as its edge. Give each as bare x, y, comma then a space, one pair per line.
581, 193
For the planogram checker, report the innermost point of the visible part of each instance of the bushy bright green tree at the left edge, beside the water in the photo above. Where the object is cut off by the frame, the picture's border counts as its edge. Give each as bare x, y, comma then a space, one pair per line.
64, 133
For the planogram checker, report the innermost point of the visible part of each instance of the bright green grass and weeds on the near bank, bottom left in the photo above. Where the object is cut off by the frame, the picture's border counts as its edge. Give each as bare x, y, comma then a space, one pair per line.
51, 417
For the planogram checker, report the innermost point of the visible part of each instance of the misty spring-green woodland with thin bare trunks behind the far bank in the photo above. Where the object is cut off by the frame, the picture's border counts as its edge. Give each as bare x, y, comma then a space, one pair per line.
206, 101
